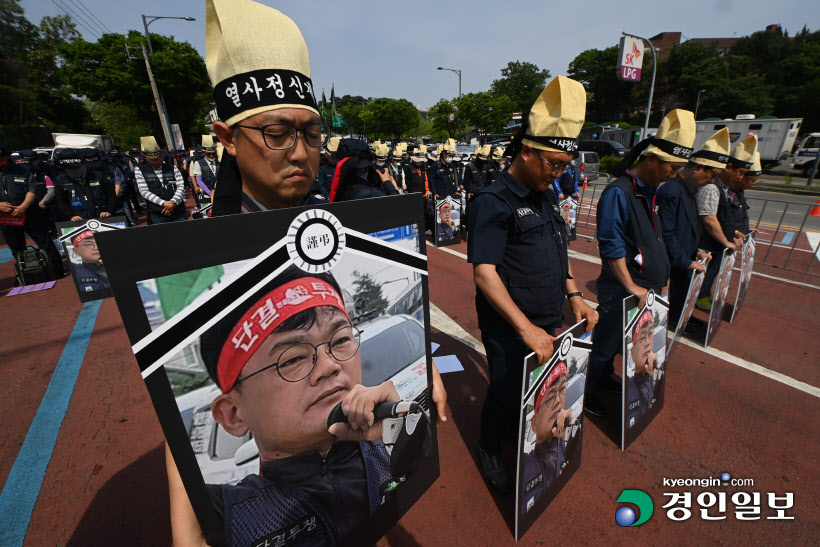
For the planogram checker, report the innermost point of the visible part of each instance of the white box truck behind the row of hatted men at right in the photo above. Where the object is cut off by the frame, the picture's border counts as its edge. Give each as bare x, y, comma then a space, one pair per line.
775, 135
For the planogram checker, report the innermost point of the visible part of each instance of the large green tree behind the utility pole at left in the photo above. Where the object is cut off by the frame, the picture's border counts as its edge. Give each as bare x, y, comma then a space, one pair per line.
100, 72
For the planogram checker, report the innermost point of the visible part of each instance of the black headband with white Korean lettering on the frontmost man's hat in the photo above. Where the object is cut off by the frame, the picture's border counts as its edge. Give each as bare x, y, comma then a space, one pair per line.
265, 87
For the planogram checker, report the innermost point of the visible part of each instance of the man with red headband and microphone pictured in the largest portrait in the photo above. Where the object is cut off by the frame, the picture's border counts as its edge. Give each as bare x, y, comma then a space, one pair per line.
283, 360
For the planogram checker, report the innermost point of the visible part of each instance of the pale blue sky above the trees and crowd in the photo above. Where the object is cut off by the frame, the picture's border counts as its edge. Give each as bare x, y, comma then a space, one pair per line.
392, 49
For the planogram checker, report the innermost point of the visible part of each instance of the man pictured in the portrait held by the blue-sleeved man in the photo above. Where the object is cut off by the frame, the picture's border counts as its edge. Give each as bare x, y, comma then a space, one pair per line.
640, 386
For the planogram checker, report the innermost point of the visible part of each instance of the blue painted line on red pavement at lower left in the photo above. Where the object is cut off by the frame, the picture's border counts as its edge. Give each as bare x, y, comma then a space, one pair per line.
22, 488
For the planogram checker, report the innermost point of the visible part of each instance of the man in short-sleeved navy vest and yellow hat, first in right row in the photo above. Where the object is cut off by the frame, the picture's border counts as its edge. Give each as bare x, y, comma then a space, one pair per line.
518, 250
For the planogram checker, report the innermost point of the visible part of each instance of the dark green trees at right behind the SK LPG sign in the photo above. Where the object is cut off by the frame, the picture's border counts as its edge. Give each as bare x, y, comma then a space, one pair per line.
765, 73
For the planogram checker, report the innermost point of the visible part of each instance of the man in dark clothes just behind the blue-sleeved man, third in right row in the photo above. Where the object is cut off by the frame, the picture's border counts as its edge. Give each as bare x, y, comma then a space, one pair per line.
679, 215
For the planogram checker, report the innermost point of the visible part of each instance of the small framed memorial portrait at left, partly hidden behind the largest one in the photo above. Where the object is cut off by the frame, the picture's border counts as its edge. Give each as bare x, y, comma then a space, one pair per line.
85, 261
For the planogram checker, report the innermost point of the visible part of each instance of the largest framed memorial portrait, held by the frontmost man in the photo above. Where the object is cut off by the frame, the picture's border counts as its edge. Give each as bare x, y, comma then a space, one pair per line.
251, 335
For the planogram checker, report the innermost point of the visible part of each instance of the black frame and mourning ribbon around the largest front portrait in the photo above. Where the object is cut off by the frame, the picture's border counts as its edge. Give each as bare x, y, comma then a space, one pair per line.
188, 246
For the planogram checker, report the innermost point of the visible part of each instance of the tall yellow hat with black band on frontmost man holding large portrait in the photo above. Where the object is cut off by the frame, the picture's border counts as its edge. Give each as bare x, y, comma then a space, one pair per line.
257, 60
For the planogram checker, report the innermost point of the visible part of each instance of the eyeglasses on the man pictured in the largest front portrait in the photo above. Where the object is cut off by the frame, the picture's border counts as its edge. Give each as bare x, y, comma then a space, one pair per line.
297, 362
